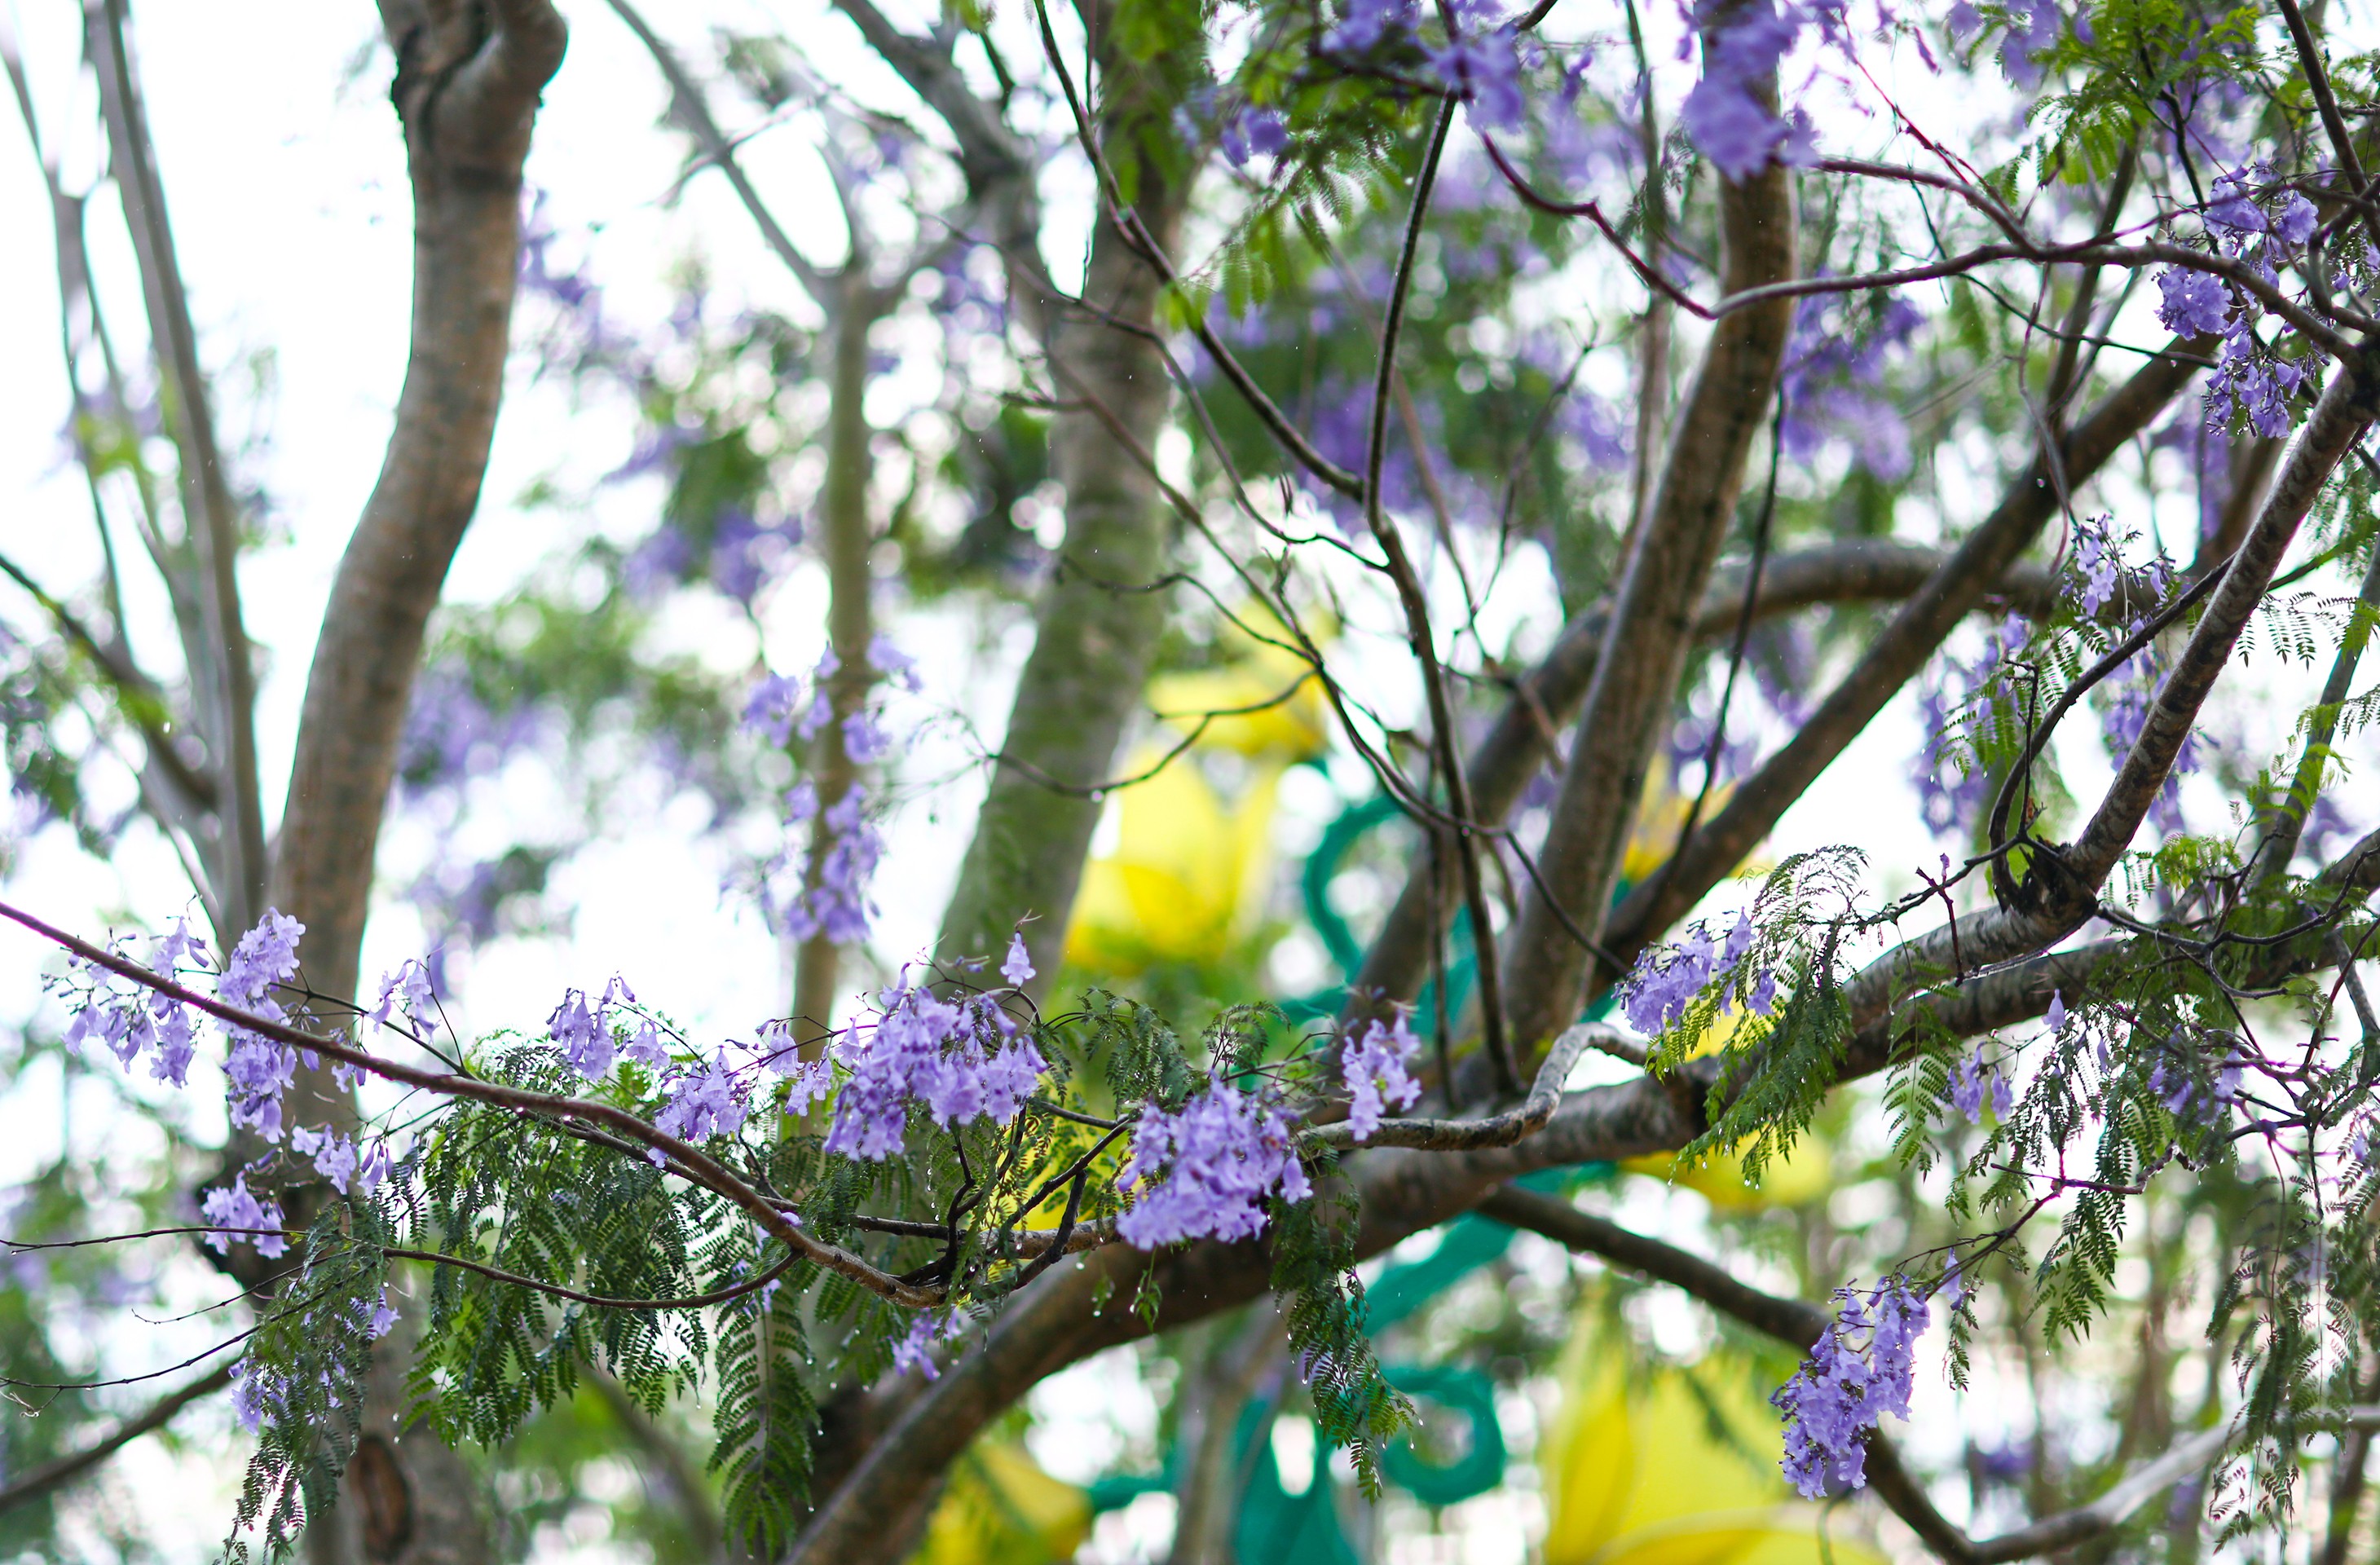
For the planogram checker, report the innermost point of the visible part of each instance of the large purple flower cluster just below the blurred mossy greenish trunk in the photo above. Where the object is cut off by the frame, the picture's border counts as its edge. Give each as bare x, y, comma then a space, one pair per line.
963, 1062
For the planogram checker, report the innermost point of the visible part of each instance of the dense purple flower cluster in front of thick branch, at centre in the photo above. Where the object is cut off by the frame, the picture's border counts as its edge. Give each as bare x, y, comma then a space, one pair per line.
1205, 1171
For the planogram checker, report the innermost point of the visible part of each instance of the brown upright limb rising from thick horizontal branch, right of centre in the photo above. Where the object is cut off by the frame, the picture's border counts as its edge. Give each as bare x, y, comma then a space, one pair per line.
1655, 615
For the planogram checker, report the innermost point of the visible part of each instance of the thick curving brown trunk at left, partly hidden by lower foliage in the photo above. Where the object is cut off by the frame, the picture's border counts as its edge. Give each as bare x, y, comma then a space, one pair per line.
468, 94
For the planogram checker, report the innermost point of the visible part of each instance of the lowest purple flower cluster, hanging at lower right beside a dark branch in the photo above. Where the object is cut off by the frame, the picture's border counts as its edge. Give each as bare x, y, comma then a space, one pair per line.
1846, 1388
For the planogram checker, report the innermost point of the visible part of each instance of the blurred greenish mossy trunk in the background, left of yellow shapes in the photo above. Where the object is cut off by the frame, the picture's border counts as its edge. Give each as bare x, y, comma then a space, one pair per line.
1101, 612
